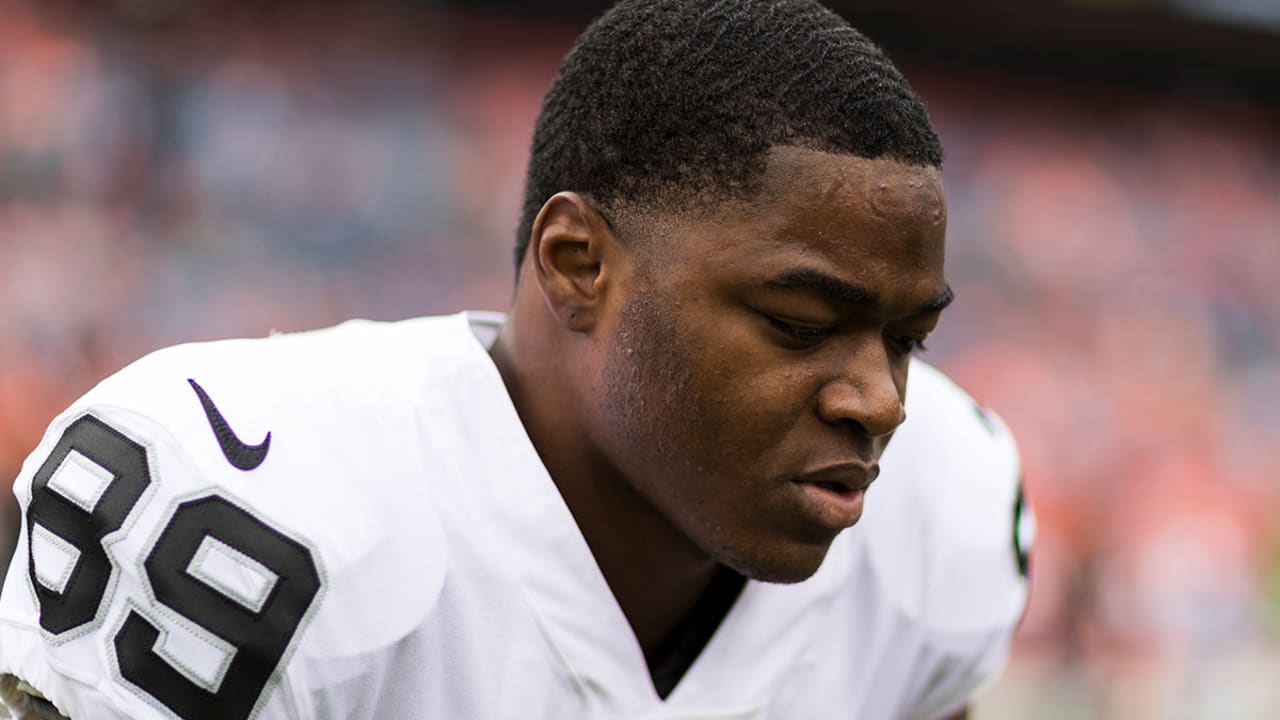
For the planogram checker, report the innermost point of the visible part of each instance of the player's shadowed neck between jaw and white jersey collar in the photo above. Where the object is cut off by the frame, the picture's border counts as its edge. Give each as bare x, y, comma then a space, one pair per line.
655, 572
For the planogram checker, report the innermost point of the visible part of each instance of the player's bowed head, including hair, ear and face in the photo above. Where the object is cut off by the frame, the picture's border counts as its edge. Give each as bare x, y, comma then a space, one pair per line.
733, 239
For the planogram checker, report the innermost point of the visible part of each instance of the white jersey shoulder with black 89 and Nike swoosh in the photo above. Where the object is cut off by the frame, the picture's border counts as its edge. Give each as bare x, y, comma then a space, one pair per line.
214, 511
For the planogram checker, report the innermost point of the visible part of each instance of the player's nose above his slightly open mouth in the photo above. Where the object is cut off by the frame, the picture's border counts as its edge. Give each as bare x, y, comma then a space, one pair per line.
867, 393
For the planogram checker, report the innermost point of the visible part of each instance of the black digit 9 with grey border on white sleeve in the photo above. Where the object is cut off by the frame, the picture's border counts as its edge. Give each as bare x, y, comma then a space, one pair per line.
260, 635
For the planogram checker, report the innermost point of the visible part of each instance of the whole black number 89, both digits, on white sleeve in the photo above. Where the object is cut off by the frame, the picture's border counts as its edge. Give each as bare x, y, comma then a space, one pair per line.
94, 500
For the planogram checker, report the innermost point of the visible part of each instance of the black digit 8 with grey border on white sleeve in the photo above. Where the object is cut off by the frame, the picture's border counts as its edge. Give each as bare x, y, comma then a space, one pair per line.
84, 528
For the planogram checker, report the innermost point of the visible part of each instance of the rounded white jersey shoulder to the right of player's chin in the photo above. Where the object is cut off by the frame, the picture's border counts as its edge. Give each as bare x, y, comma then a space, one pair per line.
945, 512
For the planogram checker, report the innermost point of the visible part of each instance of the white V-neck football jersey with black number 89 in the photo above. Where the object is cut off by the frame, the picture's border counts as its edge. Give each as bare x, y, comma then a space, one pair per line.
354, 525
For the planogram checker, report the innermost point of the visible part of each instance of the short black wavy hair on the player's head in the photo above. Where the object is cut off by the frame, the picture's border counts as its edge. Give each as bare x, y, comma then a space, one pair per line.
664, 101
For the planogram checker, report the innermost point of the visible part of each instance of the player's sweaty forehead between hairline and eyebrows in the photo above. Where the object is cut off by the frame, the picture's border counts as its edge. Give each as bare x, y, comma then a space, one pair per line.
875, 222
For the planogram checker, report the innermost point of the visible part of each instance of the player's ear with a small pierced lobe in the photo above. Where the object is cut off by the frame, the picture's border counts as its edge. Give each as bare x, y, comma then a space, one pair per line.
570, 247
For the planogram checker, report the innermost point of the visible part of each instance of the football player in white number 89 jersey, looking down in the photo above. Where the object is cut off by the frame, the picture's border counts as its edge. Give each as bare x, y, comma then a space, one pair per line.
638, 495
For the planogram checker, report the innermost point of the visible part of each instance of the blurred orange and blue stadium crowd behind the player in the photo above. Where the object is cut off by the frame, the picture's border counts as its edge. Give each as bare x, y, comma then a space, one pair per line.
1117, 259
